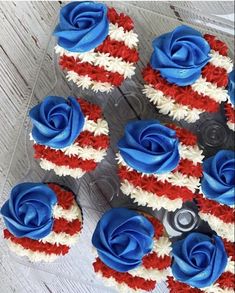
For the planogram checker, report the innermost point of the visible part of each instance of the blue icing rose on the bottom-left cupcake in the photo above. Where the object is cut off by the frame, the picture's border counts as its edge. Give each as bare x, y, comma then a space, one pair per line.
28, 212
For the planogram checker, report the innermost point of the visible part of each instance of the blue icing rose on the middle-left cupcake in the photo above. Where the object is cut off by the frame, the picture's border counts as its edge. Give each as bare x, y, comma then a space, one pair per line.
56, 122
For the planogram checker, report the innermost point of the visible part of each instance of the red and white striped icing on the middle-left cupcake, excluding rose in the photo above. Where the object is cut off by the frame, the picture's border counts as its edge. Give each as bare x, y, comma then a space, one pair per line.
85, 153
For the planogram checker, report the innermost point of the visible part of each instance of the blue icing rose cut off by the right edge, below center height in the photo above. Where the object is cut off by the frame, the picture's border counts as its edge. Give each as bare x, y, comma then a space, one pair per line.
218, 181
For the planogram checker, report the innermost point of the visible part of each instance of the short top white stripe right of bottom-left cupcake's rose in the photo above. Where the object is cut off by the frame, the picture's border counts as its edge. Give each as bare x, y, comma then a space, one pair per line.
73, 213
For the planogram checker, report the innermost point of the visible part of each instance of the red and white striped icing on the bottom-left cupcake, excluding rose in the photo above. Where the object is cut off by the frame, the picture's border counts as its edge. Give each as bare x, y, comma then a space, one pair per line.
65, 232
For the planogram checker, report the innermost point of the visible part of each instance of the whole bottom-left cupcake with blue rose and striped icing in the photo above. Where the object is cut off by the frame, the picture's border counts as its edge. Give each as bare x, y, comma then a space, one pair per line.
42, 221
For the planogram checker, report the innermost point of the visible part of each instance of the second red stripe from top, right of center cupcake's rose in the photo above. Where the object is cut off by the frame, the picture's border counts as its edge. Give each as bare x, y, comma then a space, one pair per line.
187, 167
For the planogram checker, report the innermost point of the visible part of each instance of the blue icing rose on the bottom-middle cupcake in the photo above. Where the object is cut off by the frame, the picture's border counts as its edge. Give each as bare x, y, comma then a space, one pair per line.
122, 238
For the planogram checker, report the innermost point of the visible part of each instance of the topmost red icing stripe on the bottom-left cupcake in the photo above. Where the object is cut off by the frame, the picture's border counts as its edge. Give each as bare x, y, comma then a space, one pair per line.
65, 198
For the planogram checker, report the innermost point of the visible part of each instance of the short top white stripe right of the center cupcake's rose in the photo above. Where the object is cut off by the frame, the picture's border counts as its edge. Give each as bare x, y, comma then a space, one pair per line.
191, 153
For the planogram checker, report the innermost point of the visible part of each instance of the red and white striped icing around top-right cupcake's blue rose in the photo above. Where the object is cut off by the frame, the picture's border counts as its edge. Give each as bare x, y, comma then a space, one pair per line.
204, 95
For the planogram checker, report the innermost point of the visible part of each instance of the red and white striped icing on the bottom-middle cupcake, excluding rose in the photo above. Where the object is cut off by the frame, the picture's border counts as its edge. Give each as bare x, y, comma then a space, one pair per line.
155, 266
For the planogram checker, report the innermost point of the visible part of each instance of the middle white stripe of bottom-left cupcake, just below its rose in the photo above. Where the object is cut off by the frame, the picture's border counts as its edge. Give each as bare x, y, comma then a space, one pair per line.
61, 238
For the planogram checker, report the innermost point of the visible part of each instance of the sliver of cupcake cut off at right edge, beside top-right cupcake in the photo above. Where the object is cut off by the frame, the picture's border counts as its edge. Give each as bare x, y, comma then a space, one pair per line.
229, 106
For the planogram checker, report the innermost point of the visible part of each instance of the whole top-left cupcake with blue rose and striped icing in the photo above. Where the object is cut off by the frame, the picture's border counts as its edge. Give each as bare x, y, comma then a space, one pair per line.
97, 46
